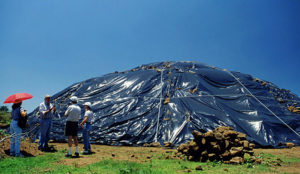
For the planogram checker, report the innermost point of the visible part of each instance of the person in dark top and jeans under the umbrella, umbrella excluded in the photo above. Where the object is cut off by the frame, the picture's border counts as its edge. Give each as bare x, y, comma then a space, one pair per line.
15, 129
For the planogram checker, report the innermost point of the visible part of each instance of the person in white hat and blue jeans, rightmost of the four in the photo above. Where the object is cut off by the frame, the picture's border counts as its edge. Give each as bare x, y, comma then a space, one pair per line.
86, 125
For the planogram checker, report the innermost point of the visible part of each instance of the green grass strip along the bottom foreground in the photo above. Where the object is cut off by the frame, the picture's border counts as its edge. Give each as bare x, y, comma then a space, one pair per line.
48, 164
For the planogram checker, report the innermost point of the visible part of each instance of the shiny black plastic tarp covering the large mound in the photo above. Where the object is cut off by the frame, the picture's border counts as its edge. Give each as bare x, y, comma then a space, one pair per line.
166, 101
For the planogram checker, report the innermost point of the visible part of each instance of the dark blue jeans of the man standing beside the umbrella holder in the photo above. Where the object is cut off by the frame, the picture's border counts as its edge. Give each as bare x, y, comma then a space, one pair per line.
45, 126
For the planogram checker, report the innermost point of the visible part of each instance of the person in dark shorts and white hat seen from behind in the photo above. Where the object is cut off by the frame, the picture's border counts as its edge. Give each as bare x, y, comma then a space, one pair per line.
72, 113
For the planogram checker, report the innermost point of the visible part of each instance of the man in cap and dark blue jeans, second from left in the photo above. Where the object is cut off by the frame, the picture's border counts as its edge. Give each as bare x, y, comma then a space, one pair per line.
46, 114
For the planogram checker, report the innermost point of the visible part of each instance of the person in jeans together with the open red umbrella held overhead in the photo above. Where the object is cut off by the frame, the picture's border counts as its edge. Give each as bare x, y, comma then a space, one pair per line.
17, 113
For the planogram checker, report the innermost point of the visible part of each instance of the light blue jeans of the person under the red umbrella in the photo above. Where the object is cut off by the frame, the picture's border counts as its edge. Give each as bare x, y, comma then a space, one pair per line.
15, 141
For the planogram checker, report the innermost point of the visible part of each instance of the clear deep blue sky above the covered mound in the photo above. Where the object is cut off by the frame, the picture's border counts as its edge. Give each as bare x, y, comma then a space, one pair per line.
47, 45
